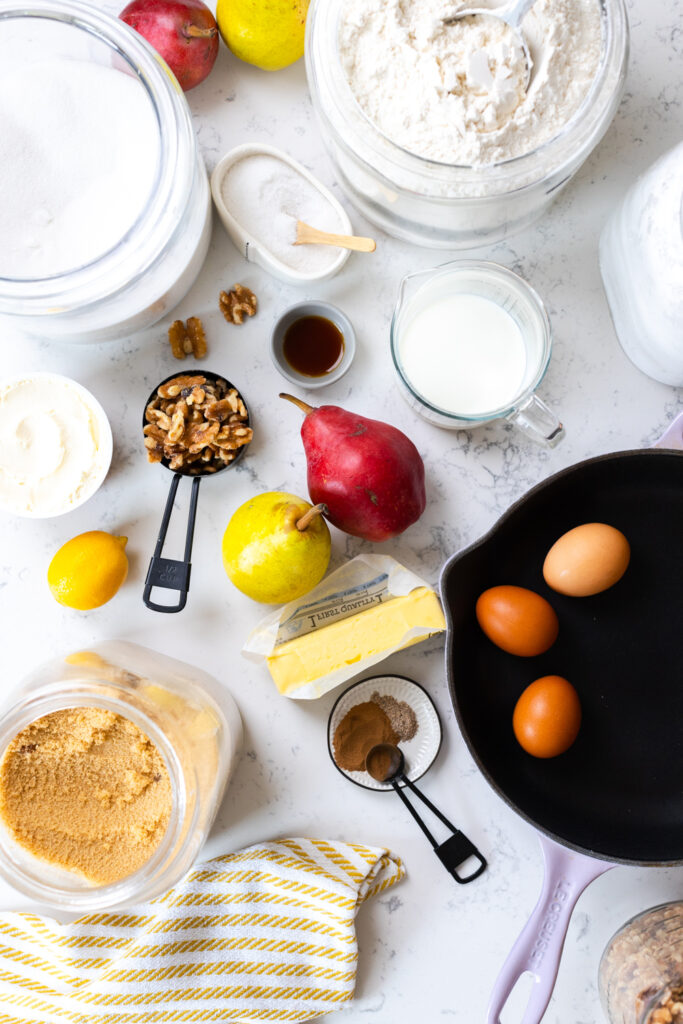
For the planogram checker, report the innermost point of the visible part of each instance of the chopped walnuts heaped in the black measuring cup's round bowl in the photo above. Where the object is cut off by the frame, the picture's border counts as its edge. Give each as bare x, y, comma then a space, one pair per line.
196, 423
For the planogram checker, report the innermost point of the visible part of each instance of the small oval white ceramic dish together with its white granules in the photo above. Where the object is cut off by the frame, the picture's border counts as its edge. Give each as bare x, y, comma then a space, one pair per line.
261, 194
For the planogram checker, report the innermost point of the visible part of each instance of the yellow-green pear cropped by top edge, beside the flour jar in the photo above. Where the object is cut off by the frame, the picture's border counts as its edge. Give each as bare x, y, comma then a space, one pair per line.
269, 34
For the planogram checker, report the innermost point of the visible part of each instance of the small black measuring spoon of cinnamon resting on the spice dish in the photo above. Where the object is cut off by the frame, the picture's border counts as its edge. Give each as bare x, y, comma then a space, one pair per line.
386, 763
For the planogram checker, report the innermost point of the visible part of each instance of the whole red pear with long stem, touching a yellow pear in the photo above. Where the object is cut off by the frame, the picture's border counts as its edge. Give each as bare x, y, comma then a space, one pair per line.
369, 475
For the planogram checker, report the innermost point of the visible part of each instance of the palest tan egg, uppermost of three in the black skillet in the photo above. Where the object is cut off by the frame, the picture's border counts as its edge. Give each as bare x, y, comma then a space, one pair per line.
587, 561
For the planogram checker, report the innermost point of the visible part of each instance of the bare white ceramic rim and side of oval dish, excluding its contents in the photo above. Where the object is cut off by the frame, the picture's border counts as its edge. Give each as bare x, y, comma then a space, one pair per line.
254, 251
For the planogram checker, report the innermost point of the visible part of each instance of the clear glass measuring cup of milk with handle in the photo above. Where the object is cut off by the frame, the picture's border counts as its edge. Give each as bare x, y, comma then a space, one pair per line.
472, 343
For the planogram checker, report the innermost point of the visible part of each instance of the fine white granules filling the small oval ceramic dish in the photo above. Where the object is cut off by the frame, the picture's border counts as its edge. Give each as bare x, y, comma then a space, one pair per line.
267, 197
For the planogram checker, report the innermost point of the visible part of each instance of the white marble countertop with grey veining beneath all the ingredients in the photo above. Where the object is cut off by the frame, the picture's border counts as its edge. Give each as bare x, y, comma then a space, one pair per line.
430, 950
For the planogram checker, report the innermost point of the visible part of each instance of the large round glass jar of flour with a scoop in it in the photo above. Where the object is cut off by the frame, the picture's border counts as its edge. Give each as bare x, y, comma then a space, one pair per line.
430, 126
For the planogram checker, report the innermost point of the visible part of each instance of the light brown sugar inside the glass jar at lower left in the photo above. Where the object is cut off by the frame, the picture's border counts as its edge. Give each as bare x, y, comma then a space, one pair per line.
86, 790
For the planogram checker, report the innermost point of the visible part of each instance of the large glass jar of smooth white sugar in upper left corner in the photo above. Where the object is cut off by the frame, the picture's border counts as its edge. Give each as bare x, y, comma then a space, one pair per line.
110, 217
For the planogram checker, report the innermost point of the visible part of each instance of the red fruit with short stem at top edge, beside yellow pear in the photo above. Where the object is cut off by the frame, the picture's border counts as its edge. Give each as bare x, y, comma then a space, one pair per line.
184, 32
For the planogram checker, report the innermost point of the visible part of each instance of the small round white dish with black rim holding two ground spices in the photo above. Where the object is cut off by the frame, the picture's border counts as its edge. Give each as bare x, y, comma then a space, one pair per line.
383, 710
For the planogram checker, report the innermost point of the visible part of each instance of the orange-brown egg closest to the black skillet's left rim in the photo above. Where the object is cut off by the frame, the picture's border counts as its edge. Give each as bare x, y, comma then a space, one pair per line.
518, 620
